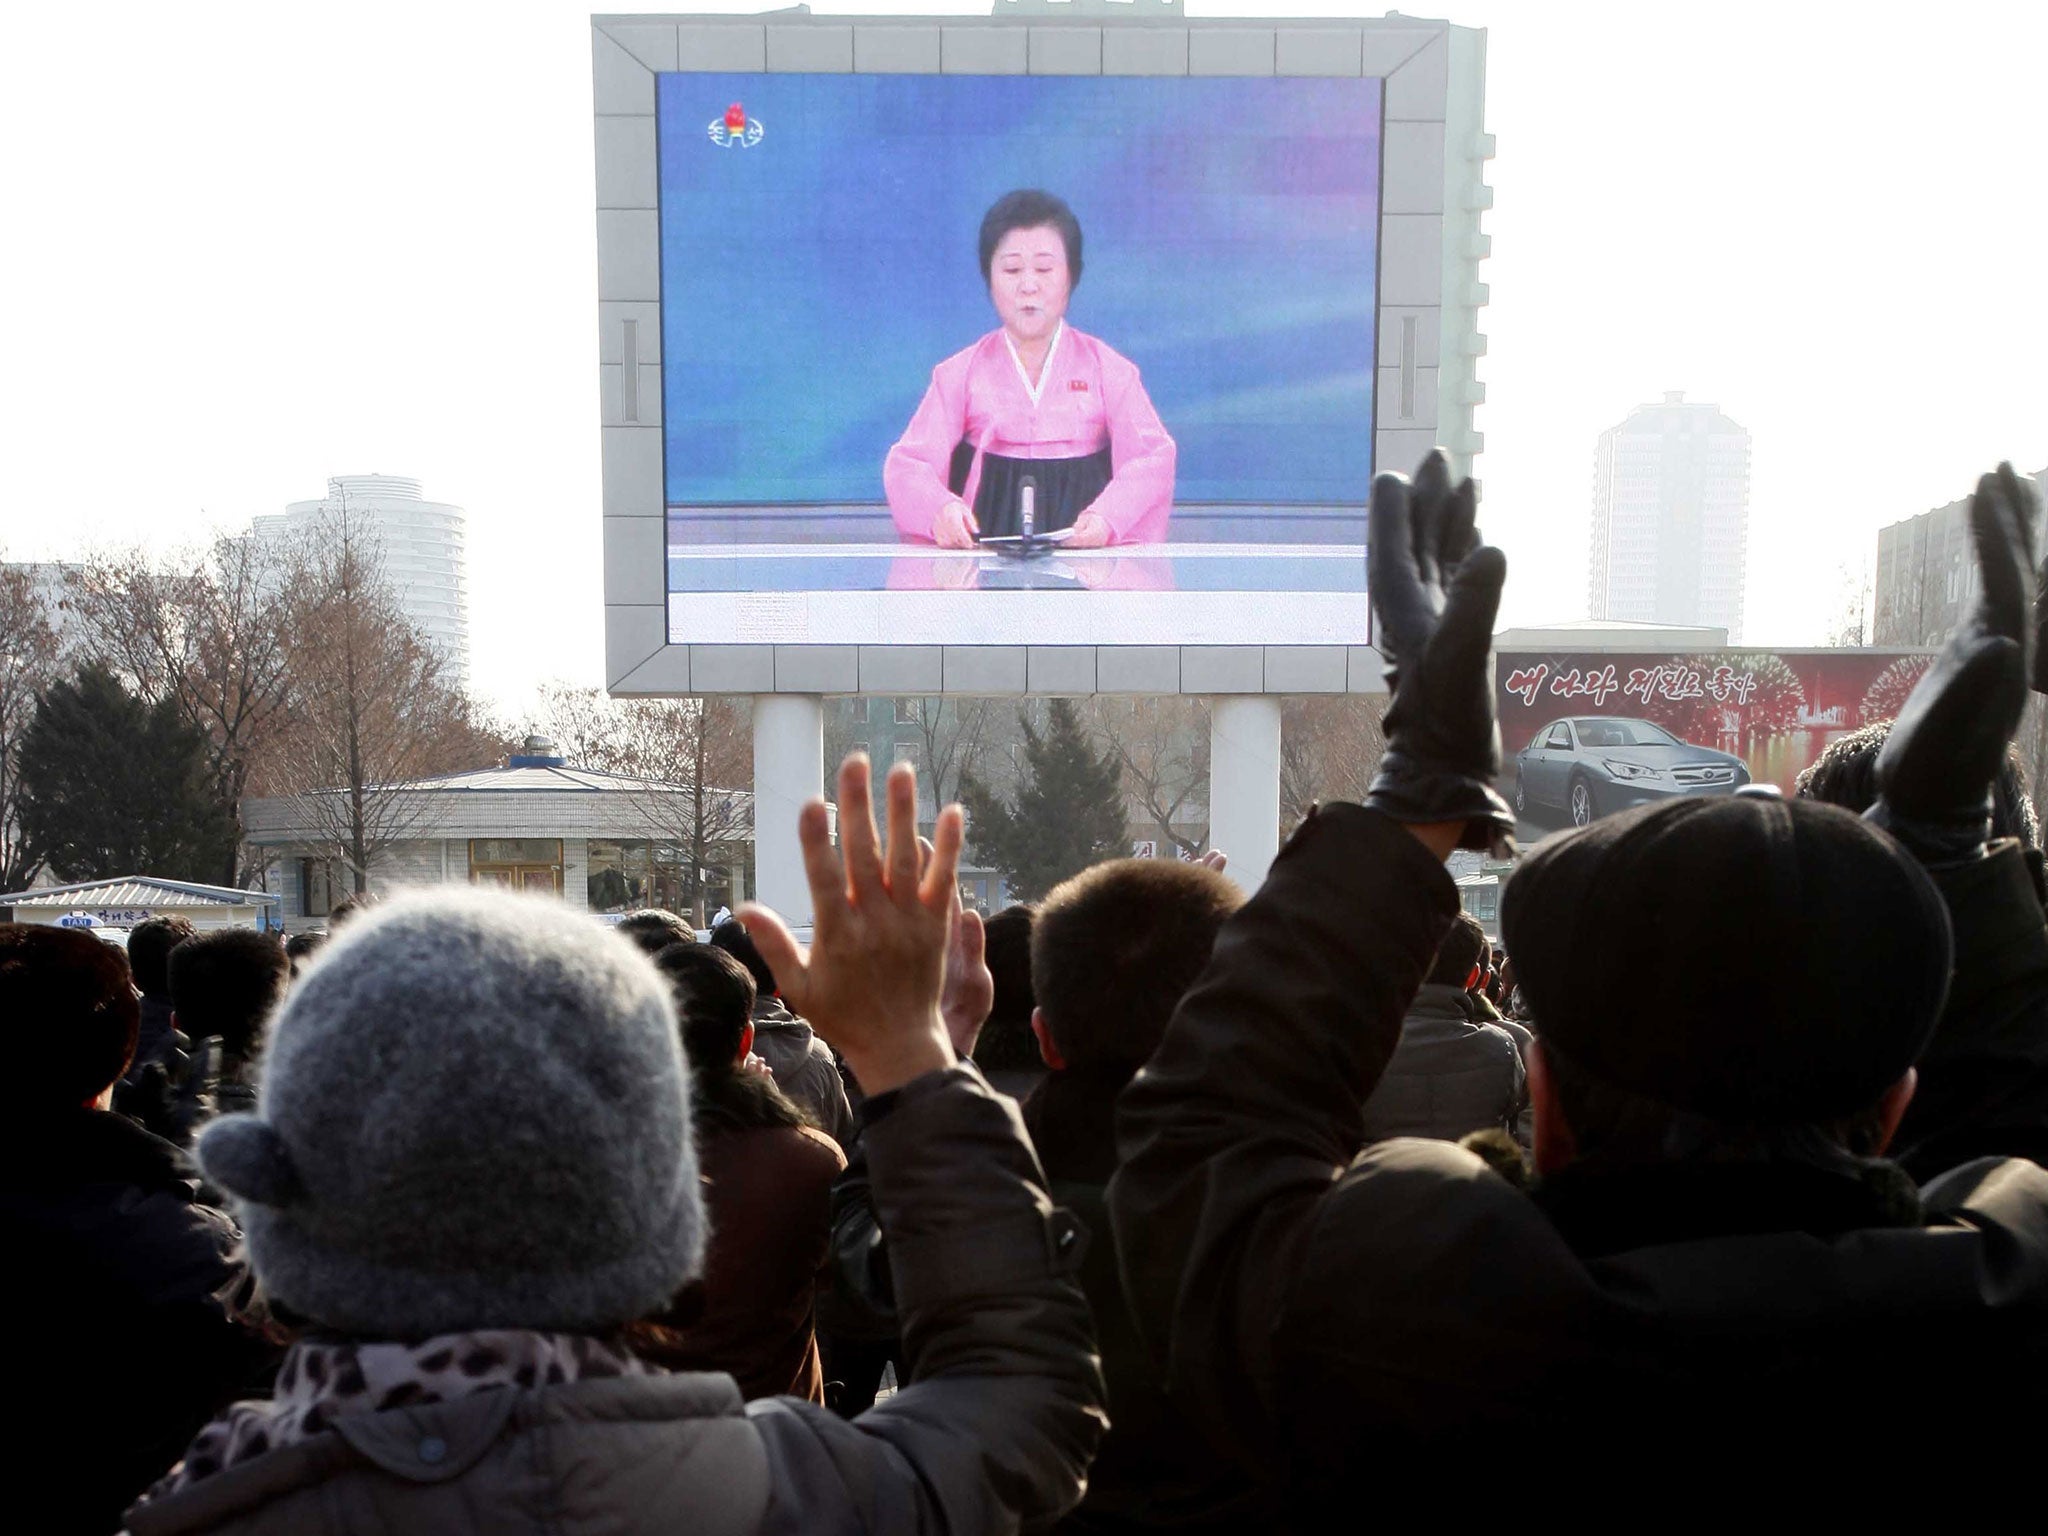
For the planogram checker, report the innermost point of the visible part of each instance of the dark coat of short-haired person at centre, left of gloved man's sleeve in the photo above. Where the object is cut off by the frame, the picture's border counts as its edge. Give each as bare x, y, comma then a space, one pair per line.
1154, 1471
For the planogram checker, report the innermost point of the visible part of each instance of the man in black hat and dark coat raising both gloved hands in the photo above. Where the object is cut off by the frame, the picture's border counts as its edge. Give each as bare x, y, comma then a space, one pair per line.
1717, 1281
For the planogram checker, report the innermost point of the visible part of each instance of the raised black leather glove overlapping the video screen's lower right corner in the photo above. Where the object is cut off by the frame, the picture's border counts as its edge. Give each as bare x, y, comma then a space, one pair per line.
1437, 589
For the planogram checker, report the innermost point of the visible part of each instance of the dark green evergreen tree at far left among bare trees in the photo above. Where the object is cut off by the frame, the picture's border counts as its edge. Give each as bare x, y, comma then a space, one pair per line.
112, 785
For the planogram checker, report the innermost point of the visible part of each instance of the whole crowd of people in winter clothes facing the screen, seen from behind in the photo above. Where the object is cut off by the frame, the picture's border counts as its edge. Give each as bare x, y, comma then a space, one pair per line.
1150, 1207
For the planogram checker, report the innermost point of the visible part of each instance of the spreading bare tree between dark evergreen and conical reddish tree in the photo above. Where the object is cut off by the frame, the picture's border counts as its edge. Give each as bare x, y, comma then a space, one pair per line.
208, 632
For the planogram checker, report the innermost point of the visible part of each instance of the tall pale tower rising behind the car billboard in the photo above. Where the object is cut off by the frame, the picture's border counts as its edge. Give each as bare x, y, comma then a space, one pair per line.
1672, 517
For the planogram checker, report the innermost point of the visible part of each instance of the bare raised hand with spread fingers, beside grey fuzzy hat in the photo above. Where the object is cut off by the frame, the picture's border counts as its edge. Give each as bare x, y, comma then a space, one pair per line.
871, 980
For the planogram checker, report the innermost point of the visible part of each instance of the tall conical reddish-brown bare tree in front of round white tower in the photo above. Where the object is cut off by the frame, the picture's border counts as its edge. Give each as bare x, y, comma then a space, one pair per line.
372, 708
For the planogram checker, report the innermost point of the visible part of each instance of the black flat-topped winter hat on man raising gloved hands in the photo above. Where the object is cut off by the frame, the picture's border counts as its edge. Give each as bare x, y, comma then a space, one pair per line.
1748, 959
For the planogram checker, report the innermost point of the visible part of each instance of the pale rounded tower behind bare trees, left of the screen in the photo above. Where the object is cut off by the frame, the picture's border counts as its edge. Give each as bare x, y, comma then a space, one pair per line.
421, 542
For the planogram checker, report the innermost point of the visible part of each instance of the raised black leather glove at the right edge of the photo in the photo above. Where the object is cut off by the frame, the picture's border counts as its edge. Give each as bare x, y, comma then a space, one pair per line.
1949, 742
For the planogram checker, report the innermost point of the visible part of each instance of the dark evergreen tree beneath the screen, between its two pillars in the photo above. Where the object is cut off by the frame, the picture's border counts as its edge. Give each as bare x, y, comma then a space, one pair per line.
1070, 810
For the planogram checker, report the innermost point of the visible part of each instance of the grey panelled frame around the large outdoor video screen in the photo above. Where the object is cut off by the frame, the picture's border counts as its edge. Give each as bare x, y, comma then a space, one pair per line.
1428, 251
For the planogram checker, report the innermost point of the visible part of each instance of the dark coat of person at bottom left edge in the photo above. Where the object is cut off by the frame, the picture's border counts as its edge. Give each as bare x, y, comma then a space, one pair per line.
110, 1289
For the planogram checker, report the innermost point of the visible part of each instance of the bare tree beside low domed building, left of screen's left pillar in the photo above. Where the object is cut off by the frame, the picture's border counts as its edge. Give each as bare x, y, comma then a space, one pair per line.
689, 765
